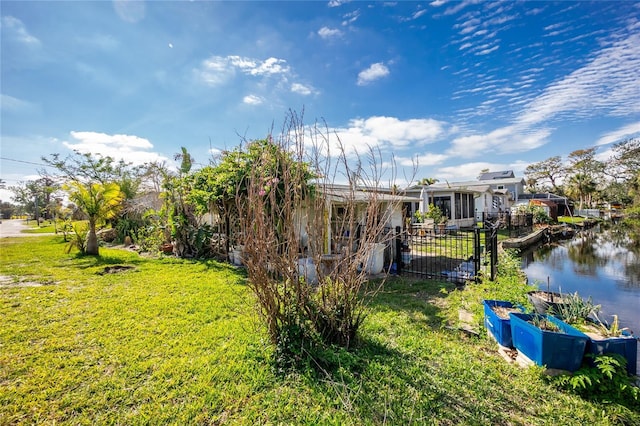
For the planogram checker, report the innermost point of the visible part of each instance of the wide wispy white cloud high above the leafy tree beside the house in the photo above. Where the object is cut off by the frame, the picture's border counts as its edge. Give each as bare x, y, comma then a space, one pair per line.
217, 70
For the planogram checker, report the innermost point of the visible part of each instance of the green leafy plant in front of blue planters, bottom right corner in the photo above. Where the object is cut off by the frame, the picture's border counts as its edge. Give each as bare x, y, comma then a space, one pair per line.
606, 381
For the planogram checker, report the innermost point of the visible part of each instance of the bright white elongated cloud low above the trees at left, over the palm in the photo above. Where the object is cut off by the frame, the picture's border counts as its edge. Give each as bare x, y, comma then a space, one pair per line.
130, 148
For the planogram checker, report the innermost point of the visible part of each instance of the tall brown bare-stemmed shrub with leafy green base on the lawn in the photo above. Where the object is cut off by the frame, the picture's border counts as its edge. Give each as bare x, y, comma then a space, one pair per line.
282, 214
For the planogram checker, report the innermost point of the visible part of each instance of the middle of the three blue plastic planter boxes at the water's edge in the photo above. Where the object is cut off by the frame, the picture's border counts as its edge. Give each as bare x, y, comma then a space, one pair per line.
561, 350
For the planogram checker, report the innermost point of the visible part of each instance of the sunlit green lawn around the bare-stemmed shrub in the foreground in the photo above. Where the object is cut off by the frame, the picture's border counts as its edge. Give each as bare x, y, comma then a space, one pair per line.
178, 342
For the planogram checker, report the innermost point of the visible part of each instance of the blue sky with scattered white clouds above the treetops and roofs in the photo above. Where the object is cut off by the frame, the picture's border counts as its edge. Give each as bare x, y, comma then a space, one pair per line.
460, 86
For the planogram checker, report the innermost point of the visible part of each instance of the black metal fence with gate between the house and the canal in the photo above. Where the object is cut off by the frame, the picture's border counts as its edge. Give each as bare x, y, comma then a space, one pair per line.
451, 254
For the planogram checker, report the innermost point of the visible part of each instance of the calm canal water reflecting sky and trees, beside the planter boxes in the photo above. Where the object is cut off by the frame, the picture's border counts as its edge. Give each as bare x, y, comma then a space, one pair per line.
603, 264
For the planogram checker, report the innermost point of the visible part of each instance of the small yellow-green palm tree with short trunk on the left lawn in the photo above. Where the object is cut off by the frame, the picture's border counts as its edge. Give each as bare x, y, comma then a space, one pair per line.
99, 202
